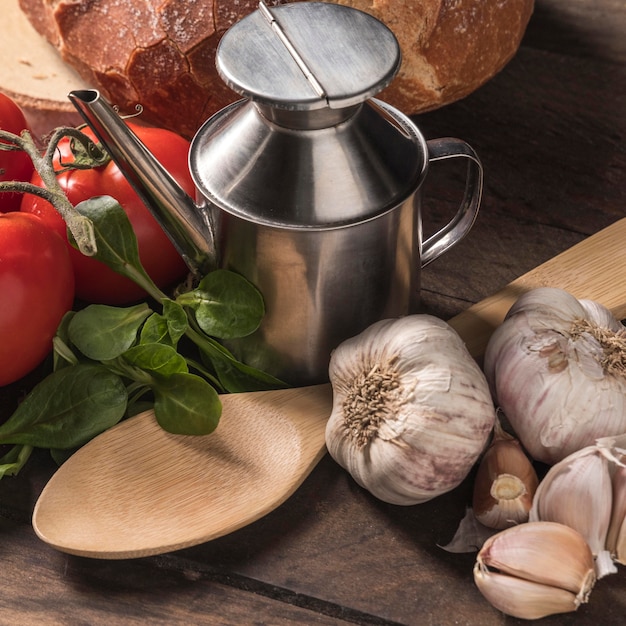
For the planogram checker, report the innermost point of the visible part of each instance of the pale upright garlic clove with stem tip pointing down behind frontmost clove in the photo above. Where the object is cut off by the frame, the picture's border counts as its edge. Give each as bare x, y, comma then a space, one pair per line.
577, 492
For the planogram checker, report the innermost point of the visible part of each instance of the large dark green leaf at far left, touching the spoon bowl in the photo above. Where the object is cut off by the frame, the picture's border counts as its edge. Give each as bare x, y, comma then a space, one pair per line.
67, 408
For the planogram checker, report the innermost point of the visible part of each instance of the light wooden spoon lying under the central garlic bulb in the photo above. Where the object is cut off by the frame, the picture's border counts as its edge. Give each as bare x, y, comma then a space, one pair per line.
136, 490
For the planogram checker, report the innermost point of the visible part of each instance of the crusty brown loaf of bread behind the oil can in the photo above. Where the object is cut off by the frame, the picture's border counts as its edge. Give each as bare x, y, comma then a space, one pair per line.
161, 53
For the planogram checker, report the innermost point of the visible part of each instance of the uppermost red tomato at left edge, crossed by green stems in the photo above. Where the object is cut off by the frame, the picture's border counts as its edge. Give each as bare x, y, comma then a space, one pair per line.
14, 165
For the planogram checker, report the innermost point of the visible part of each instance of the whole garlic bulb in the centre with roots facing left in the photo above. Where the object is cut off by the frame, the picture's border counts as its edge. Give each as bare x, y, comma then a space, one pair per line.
411, 409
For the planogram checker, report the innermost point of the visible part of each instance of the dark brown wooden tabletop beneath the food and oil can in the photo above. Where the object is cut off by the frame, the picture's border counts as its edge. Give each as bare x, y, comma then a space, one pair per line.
550, 129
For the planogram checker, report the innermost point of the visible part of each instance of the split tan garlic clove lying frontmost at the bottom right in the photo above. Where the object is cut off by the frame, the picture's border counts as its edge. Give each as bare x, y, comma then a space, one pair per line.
535, 569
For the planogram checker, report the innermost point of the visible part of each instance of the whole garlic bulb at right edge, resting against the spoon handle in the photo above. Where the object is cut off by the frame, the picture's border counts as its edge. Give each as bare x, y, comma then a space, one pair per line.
557, 368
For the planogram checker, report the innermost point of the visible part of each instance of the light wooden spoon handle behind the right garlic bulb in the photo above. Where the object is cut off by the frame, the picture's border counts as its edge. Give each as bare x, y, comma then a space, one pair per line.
594, 269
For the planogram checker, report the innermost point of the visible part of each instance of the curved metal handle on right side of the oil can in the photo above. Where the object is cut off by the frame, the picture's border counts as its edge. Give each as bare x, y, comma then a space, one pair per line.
462, 222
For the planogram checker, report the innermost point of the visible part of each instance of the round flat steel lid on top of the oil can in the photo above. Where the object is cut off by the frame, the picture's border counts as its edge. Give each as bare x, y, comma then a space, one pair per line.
308, 55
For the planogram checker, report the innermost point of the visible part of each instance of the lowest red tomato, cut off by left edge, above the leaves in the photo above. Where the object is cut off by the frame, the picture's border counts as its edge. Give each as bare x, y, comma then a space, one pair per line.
36, 290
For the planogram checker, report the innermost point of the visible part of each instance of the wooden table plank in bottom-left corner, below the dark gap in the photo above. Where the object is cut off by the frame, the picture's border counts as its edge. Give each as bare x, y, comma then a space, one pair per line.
41, 586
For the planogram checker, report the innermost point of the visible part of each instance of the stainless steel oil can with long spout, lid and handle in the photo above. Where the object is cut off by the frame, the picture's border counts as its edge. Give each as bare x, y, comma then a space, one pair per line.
309, 186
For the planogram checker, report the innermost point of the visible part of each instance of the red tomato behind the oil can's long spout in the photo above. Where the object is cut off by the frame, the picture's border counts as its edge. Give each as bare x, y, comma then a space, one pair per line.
95, 282
